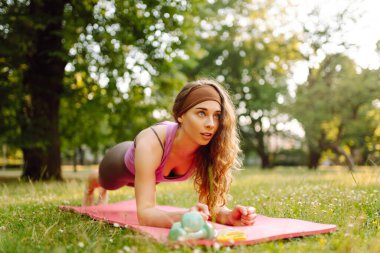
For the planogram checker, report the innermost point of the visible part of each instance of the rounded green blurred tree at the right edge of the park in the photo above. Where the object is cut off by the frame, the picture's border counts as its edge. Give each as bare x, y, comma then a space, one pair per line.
334, 108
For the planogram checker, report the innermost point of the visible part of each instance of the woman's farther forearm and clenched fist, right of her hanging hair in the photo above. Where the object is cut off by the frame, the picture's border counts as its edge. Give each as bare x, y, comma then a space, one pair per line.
239, 216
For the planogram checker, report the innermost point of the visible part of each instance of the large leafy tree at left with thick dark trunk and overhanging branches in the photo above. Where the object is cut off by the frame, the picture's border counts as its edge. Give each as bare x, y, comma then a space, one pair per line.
91, 40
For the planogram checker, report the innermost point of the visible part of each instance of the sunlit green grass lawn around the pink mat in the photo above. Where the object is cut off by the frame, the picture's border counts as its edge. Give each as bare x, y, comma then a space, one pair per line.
30, 220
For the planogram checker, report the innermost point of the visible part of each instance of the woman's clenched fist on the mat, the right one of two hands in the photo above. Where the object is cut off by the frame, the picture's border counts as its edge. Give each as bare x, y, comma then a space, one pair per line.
242, 216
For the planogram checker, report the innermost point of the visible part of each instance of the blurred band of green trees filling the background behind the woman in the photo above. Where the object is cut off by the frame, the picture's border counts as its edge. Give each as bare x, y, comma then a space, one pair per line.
76, 77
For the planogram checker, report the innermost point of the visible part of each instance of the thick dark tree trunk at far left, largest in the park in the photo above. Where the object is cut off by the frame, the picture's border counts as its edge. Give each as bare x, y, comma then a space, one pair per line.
43, 83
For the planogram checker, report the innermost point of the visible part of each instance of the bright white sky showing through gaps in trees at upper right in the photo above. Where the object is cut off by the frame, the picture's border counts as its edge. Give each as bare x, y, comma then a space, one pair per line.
364, 33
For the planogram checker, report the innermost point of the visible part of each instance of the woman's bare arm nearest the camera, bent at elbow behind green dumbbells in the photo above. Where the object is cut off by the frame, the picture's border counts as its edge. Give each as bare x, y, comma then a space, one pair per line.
148, 155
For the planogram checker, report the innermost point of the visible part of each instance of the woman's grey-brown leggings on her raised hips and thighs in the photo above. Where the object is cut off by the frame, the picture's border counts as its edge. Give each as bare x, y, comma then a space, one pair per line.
113, 173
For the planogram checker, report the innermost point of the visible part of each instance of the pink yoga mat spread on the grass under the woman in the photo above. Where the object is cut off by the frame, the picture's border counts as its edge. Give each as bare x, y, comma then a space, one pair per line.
265, 228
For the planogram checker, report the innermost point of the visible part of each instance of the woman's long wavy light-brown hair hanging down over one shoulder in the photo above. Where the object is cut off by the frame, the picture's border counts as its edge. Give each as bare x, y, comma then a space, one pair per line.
216, 160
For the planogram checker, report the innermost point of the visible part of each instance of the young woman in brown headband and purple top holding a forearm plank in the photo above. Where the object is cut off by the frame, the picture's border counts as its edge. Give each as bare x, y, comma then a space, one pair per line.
202, 142
